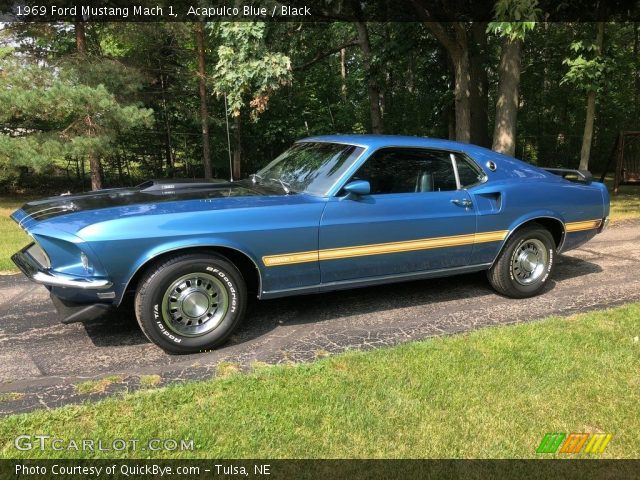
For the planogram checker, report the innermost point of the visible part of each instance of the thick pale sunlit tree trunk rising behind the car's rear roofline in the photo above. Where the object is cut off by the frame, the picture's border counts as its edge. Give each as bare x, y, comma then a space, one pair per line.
504, 131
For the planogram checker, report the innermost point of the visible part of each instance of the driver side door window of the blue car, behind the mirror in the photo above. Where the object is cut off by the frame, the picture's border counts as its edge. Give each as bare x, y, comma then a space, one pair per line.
404, 170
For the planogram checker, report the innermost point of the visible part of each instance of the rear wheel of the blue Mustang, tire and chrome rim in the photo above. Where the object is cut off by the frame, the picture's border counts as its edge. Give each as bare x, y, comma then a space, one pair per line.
525, 263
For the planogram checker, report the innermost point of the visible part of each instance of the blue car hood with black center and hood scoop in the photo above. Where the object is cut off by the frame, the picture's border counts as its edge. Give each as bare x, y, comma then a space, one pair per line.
71, 213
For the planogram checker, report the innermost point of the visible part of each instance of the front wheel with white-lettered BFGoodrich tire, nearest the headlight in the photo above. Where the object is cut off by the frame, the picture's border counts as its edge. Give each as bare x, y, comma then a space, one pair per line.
191, 303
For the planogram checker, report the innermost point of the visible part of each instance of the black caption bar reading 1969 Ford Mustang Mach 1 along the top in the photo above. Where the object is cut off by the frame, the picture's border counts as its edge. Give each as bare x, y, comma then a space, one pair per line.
306, 10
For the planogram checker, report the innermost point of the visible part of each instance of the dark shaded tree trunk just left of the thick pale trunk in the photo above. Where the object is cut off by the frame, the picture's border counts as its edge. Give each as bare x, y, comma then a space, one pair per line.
479, 100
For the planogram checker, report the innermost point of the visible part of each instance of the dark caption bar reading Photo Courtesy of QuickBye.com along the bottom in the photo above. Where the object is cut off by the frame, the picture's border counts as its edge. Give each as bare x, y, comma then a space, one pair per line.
322, 469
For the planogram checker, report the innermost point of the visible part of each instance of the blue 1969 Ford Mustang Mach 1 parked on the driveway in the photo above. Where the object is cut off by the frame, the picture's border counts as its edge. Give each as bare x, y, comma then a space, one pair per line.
332, 212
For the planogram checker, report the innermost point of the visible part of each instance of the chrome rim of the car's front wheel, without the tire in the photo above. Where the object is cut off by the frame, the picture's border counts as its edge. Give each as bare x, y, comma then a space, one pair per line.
195, 304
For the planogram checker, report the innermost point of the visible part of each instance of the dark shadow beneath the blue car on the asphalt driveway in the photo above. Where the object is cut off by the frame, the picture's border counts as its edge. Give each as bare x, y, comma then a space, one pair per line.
120, 327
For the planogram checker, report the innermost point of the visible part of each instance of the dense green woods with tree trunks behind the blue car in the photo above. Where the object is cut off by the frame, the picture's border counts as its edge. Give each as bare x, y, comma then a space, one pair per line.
90, 105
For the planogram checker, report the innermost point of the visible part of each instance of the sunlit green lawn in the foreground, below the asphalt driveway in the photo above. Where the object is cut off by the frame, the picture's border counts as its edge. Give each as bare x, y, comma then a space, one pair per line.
492, 393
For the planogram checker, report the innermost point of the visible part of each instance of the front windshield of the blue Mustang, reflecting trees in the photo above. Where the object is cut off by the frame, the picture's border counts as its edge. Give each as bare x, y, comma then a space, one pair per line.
310, 167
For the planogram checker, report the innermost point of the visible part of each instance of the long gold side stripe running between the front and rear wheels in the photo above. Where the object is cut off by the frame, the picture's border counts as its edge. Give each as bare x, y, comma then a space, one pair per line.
384, 248
